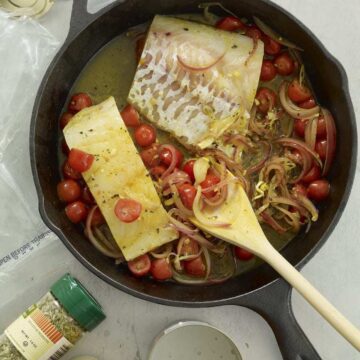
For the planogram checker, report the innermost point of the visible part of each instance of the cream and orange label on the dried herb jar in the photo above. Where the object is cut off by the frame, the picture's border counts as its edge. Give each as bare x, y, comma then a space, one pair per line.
36, 338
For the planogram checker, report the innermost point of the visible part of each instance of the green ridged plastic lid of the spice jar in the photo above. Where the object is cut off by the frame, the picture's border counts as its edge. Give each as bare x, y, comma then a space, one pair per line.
78, 302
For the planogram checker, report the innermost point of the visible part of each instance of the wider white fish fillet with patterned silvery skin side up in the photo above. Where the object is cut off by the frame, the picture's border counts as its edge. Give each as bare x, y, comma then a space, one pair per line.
195, 81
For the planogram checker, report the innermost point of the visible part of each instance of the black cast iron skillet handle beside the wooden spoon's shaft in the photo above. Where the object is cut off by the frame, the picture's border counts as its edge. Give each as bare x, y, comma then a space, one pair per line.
273, 303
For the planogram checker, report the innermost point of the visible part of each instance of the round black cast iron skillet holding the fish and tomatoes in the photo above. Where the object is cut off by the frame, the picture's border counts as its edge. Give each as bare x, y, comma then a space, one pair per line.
260, 289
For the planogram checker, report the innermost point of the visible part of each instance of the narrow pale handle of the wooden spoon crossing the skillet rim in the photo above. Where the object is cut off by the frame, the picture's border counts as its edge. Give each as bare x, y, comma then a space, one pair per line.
313, 296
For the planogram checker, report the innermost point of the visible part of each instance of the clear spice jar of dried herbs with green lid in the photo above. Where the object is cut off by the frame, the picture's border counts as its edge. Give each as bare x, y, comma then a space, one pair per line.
49, 328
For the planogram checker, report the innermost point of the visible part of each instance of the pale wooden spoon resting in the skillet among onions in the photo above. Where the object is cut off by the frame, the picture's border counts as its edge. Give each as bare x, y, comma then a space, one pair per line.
245, 231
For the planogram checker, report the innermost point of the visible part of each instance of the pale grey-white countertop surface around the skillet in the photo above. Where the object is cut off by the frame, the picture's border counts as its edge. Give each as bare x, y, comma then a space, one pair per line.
132, 323
